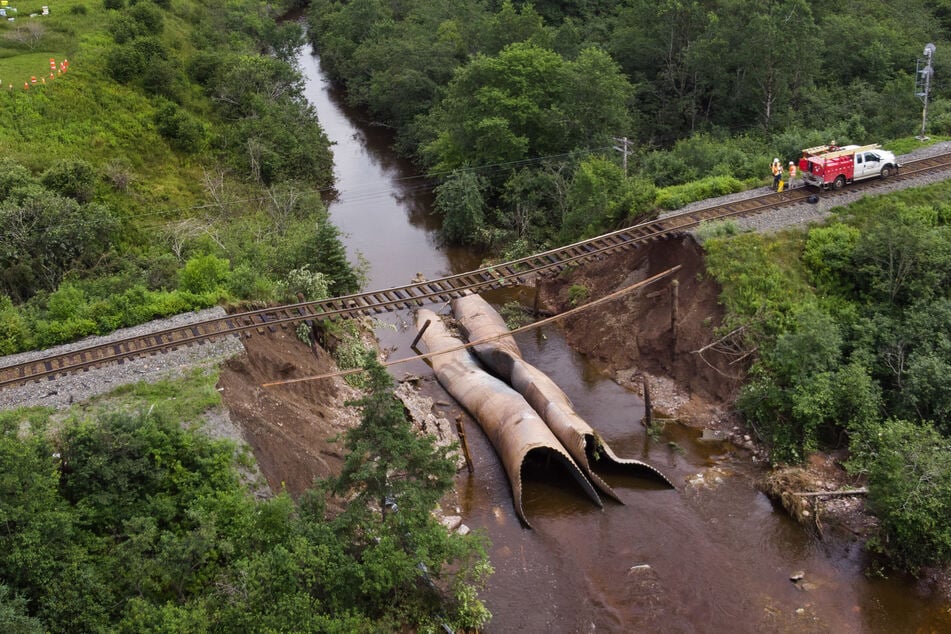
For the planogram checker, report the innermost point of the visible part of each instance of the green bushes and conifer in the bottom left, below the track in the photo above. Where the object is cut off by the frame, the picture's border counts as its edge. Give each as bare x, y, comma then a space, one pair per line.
127, 518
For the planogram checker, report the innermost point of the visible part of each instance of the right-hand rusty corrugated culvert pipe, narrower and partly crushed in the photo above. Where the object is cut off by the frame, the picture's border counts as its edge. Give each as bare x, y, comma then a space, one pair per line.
500, 353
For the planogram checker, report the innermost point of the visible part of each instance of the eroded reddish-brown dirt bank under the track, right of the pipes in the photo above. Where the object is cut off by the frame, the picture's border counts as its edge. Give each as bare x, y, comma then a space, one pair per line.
632, 335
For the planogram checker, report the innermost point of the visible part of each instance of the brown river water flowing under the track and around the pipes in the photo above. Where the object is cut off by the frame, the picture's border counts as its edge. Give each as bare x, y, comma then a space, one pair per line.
712, 555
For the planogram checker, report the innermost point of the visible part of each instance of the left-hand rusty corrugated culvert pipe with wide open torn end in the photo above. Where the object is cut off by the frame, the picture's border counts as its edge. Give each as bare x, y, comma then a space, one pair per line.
514, 428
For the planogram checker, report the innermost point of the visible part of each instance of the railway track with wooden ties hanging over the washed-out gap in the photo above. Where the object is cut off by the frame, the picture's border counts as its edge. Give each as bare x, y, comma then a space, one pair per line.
430, 291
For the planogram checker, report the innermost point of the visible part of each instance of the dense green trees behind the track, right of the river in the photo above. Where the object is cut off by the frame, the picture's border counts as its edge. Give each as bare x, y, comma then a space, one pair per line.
522, 110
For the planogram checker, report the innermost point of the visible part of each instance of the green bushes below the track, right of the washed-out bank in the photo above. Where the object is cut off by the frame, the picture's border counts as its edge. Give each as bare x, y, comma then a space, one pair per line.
851, 327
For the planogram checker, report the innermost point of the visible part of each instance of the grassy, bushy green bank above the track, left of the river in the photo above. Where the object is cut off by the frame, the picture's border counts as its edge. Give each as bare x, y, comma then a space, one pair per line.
174, 165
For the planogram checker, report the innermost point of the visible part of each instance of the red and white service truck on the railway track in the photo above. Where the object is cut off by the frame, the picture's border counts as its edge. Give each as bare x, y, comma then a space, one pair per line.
829, 166
